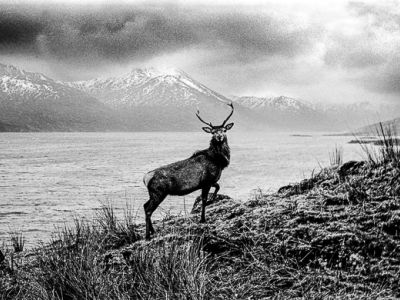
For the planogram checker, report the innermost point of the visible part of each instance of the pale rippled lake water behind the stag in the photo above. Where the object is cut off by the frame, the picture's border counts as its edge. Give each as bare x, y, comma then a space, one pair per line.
48, 178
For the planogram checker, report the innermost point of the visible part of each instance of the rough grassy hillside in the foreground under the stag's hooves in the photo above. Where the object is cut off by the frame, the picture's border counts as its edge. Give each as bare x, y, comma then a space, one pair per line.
333, 236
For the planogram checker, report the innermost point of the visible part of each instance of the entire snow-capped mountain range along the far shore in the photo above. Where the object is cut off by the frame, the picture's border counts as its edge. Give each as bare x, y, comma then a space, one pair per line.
152, 99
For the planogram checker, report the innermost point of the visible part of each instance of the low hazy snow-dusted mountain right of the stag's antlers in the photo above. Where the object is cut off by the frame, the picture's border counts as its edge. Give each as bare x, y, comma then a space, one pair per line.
290, 113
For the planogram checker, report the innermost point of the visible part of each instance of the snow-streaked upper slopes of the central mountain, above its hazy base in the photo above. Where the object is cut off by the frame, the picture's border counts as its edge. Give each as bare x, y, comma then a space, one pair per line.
149, 87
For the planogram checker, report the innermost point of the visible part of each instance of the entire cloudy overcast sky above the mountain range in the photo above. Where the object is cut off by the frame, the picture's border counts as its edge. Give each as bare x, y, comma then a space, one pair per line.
320, 51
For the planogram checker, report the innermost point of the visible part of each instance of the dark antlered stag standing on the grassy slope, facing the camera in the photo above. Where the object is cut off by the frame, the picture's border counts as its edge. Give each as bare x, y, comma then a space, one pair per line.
200, 171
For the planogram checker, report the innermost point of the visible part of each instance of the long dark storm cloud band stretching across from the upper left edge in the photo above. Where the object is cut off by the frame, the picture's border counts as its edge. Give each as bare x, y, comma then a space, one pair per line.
130, 32
